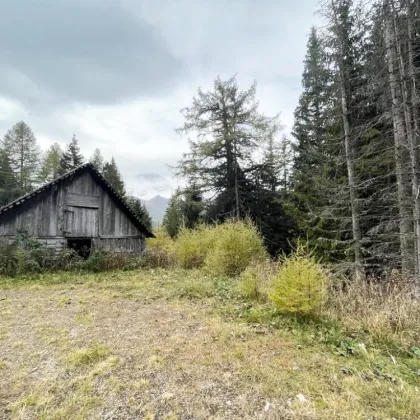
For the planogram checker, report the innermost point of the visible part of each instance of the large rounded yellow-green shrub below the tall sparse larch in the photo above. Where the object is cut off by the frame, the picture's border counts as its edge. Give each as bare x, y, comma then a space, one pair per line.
235, 245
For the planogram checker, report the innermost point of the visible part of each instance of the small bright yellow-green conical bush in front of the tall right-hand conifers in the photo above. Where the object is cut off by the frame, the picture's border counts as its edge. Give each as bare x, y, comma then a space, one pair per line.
301, 284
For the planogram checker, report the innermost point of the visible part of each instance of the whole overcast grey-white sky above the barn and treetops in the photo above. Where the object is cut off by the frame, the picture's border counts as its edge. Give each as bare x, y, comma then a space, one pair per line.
117, 72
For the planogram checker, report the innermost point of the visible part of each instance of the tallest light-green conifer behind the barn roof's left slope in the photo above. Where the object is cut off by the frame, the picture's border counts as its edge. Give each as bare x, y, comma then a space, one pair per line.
23, 153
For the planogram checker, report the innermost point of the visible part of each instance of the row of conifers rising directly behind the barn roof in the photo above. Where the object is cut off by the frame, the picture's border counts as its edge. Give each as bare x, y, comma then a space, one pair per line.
24, 166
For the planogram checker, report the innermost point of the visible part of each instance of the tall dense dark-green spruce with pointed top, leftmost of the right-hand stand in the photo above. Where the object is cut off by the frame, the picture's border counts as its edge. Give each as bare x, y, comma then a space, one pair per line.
315, 177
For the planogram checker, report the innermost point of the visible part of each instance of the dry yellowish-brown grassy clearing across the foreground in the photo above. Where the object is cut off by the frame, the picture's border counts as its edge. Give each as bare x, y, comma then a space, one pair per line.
125, 345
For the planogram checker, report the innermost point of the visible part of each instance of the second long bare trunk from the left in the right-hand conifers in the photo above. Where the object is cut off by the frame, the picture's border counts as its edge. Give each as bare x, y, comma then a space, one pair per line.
400, 145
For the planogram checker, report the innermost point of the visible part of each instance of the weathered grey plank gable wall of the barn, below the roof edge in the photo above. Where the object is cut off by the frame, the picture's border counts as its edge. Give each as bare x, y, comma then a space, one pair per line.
76, 207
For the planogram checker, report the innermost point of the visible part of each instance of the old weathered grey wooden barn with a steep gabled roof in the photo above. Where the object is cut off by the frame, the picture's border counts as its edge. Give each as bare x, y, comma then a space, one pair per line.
79, 210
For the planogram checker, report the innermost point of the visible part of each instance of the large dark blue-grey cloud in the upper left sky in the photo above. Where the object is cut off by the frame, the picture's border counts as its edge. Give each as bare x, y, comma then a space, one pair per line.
95, 51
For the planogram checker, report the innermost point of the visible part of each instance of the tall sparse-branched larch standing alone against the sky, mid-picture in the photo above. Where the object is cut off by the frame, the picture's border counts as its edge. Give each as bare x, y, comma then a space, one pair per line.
227, 130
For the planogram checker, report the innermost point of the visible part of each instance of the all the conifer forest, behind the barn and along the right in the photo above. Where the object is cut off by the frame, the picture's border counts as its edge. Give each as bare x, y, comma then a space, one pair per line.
345, 181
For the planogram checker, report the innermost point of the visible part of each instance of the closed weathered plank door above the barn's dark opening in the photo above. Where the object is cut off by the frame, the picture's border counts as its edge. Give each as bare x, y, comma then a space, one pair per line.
82, 216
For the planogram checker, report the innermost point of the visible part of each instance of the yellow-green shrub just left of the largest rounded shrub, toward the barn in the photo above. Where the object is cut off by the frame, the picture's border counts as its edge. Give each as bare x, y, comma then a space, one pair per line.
192, 246
